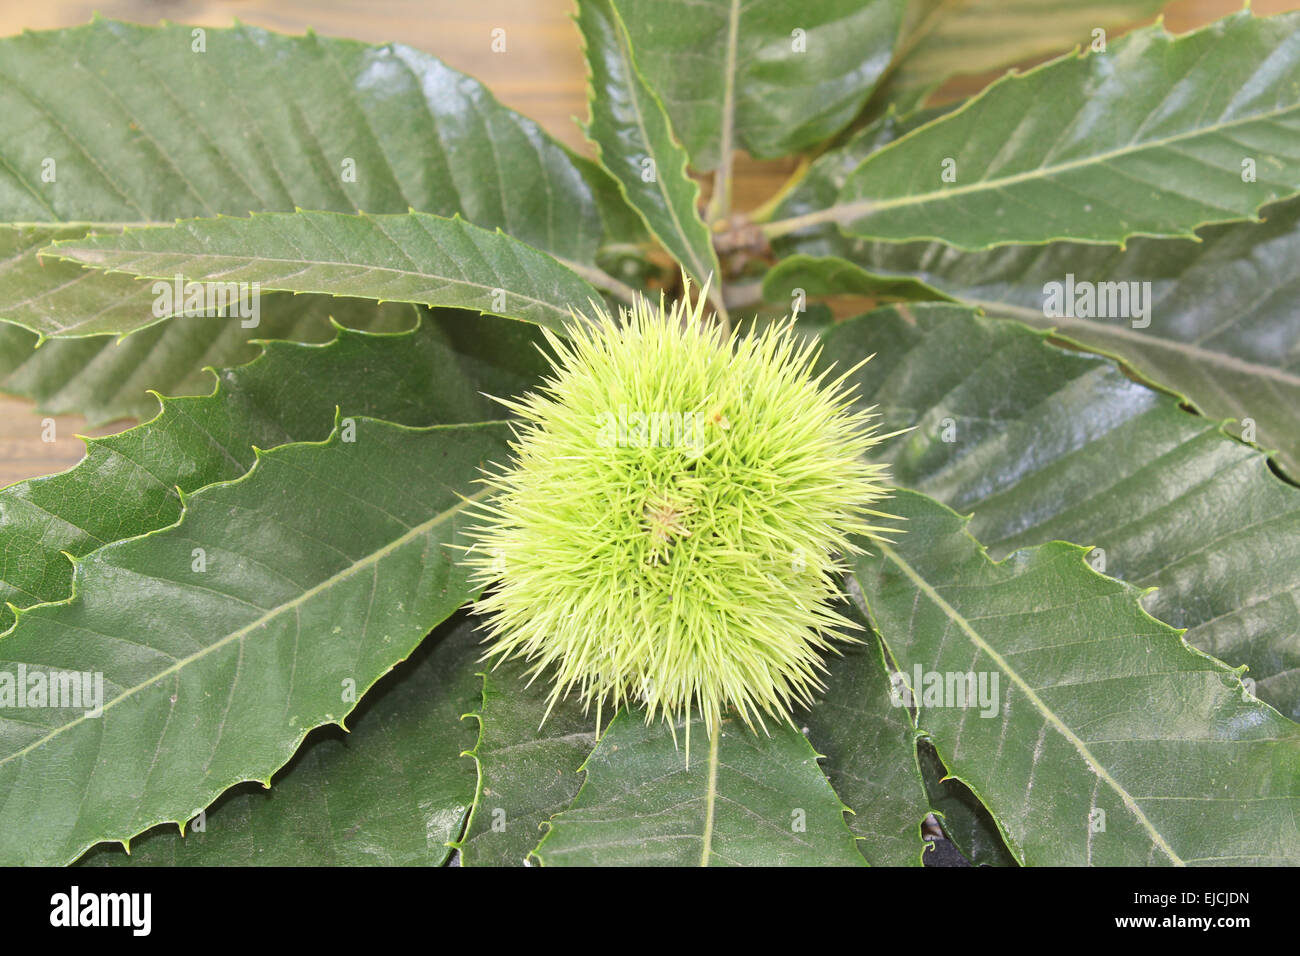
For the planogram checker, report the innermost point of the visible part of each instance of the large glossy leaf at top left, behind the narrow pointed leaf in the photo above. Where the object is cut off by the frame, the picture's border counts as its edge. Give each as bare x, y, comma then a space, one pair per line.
140, 131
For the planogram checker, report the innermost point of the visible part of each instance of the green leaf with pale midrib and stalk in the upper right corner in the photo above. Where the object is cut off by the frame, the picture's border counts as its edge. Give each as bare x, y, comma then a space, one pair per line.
1156, 137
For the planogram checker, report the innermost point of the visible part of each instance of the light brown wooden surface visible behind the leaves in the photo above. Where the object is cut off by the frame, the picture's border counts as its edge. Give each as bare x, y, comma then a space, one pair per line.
541, 75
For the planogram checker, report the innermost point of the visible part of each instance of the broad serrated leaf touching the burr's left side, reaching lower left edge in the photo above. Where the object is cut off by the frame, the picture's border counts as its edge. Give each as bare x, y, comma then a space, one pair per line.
224, 641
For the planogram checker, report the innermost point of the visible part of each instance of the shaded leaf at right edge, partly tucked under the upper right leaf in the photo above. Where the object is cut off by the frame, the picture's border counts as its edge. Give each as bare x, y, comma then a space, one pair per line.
1220, 325
